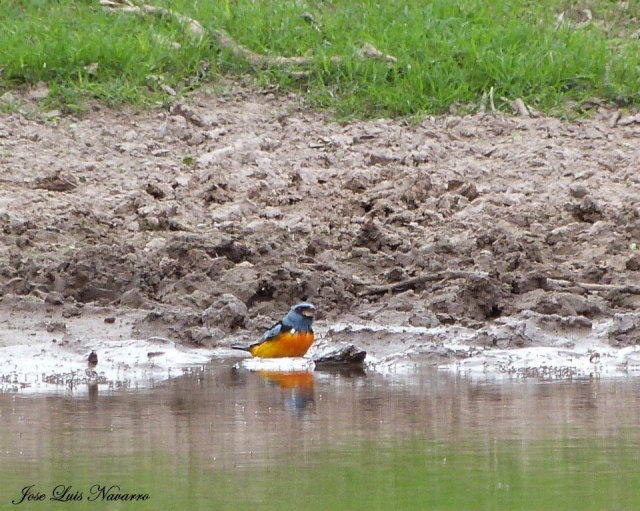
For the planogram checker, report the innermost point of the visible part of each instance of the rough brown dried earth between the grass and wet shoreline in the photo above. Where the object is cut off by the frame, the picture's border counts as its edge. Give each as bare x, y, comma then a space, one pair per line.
213, 217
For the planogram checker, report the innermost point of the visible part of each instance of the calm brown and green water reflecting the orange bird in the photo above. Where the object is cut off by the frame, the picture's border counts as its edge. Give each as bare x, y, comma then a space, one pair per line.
221, 438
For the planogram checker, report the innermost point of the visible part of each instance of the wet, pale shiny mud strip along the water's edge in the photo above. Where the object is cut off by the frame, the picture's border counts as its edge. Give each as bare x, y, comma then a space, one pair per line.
46, 348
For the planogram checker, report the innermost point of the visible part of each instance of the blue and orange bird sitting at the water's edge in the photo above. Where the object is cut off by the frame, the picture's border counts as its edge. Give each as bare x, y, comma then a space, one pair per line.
289, 337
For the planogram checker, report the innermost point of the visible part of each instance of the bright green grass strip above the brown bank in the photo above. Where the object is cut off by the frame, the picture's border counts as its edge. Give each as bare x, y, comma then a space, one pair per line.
448, 52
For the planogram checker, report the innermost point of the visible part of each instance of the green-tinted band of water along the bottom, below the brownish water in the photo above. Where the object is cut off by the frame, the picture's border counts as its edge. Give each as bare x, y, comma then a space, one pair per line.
598, 474
